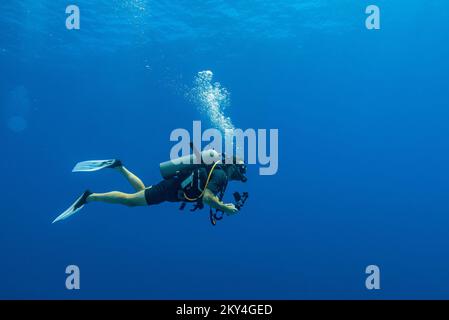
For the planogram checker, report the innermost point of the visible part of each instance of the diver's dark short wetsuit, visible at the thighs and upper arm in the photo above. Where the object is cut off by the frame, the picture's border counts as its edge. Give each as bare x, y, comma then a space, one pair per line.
170, 189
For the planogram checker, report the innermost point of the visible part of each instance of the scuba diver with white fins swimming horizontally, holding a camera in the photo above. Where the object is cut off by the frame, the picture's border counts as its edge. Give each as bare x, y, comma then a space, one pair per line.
186, 180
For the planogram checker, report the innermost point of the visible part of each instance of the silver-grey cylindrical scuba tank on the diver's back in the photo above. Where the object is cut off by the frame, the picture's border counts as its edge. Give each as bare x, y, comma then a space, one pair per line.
179, 166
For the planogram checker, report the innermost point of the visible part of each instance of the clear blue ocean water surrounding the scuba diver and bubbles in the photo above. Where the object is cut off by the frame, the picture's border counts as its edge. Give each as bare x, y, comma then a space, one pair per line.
363, 148
